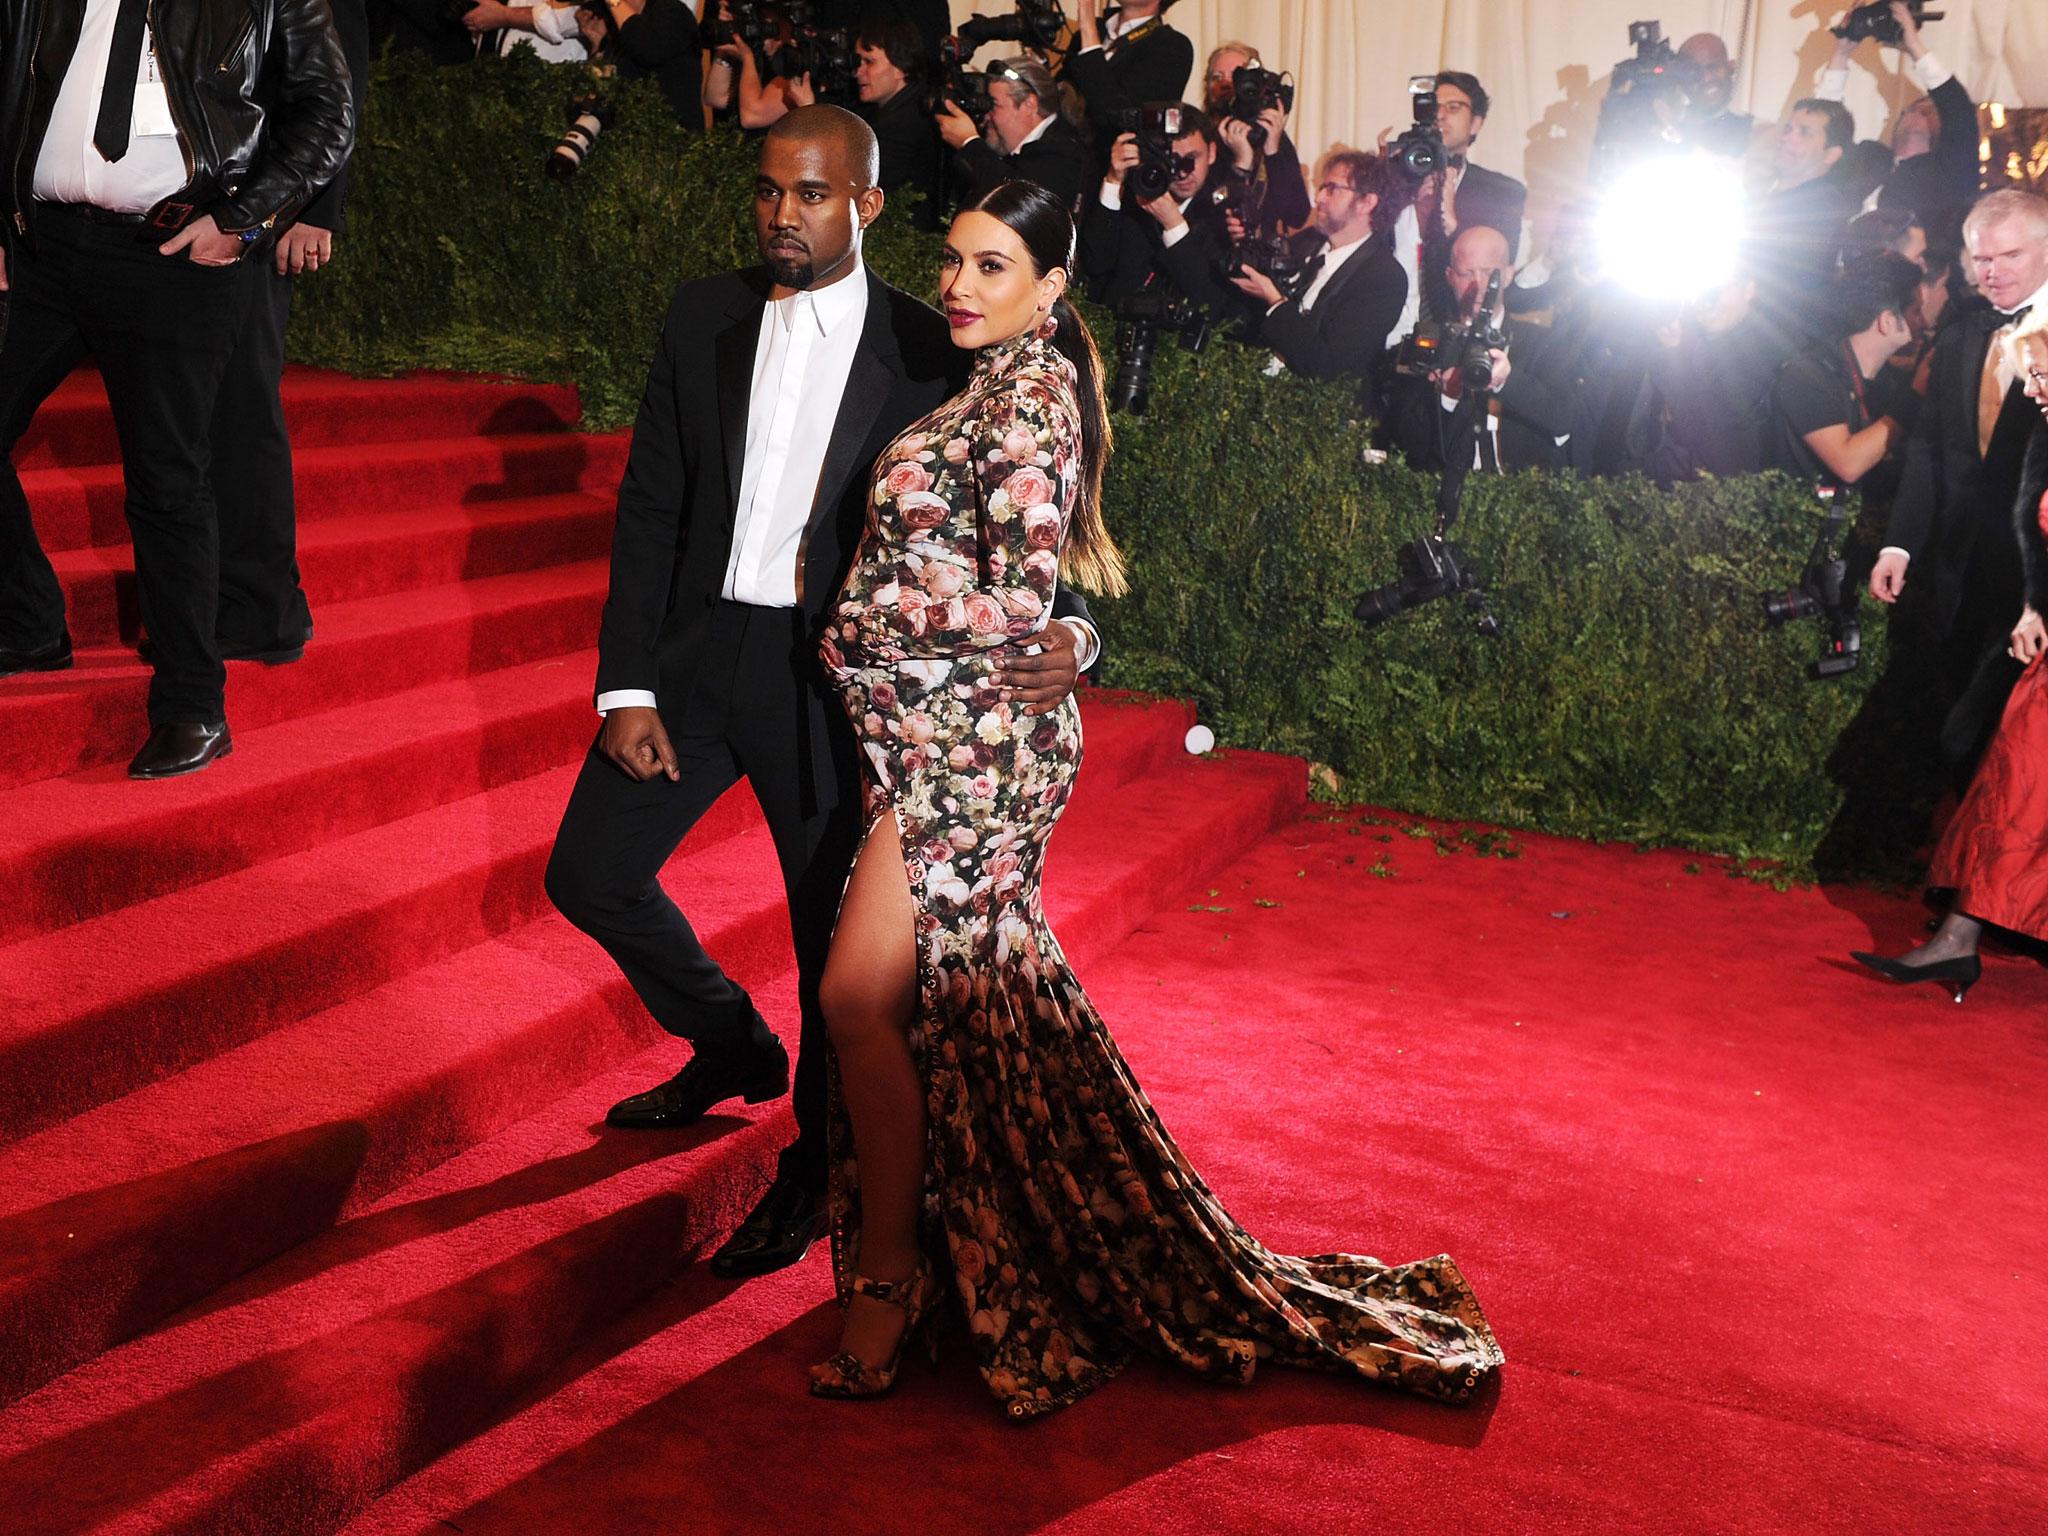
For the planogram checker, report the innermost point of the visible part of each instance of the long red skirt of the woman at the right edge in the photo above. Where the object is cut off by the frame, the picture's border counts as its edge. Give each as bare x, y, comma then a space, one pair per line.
1996, 851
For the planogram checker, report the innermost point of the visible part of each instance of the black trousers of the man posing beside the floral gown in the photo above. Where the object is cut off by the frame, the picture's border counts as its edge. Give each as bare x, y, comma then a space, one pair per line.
740, 718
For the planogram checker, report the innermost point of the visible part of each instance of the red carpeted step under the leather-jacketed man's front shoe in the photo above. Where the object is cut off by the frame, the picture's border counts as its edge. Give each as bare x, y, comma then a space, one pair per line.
62, 722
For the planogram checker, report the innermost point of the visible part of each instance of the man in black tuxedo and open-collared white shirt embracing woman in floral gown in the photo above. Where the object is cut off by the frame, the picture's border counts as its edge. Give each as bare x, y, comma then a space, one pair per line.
742, 505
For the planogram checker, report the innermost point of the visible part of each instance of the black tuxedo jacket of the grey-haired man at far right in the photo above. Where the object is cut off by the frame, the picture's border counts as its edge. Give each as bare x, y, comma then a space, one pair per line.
1953, 505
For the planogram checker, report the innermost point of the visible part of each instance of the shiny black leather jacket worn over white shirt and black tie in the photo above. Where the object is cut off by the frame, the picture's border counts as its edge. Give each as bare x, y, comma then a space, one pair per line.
259, 91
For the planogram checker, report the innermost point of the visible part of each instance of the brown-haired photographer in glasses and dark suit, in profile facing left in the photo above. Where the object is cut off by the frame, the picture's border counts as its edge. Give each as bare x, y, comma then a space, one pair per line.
1351, 288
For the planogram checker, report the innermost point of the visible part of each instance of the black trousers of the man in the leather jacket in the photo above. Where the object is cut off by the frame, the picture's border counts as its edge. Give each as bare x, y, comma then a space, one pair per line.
163, 331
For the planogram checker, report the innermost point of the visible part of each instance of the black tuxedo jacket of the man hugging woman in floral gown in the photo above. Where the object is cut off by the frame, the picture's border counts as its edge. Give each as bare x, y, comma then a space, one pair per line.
681, 490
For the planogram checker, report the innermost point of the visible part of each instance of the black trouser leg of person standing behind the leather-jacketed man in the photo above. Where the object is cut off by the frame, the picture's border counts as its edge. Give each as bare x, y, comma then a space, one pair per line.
263, 607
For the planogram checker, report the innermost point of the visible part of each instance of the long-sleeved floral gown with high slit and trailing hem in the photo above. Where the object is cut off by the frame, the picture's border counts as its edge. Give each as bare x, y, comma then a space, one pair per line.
1076, 1230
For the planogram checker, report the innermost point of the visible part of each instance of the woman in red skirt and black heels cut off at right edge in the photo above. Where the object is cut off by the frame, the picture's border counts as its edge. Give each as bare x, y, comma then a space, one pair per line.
1996, 851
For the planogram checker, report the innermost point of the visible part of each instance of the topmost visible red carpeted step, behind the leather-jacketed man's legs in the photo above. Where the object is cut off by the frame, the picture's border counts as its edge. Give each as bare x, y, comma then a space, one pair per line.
323, 409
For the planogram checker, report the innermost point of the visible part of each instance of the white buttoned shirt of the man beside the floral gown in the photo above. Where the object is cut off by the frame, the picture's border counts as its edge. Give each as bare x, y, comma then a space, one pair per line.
802, 361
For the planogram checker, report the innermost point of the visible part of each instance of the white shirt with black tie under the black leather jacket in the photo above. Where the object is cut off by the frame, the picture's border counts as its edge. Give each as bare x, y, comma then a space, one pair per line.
71, 169
